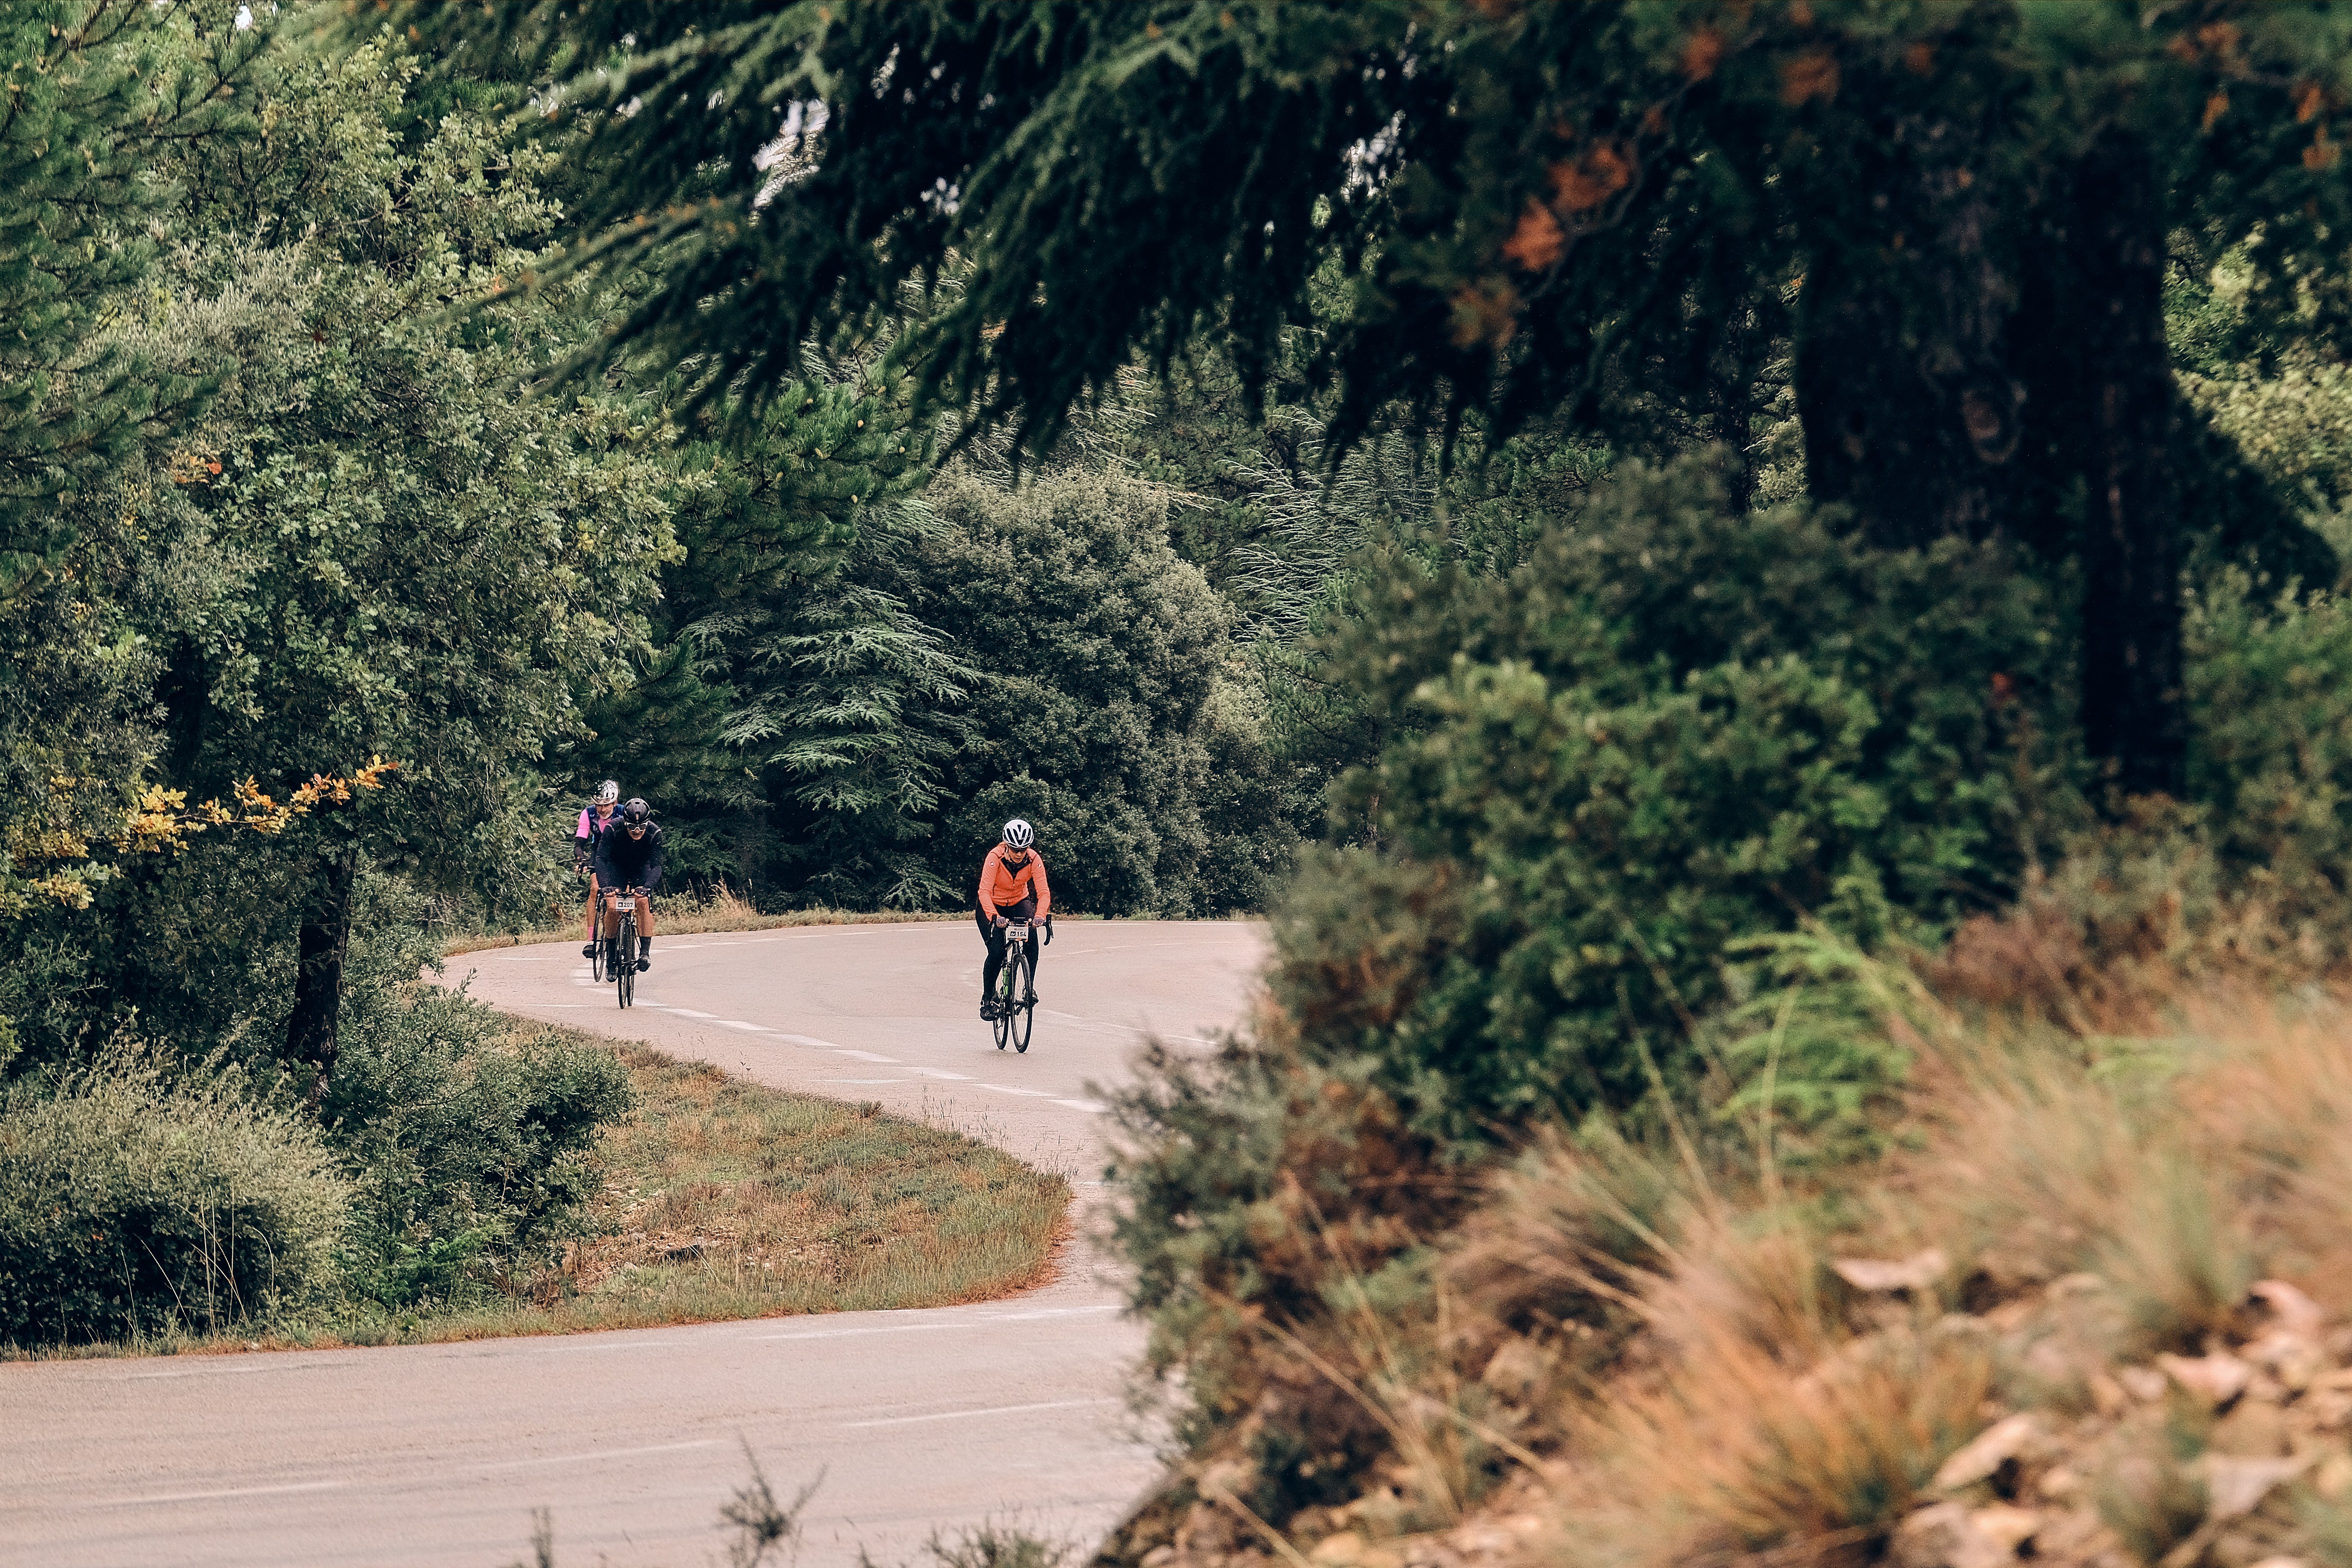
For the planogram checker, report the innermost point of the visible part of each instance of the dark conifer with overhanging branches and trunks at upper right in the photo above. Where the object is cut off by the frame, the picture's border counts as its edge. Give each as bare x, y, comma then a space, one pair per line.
1951, 215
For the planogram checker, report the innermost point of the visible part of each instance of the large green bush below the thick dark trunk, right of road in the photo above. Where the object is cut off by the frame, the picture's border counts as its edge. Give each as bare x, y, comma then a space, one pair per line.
1671, 730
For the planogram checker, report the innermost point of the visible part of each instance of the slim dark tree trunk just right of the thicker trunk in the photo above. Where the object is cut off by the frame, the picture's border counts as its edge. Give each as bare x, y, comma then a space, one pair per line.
2132, 706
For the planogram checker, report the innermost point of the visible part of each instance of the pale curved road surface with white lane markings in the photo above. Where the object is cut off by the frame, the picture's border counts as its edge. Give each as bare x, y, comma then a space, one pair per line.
916, 1421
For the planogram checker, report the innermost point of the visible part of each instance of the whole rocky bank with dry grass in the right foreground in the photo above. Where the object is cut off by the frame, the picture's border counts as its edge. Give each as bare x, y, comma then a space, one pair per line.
2130, 1101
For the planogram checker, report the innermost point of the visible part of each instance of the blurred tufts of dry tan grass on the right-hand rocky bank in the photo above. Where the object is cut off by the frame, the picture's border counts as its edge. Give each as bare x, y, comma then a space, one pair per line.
2116, 1193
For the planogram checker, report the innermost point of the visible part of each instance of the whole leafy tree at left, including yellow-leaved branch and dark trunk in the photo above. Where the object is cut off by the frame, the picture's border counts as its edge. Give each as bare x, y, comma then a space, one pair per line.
370, 544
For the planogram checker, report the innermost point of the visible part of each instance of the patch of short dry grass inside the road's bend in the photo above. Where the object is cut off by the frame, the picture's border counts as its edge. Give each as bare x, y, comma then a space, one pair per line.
730, 1200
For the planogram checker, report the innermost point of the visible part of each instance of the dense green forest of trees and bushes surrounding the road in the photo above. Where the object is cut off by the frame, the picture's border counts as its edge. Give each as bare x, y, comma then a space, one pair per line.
1603, 523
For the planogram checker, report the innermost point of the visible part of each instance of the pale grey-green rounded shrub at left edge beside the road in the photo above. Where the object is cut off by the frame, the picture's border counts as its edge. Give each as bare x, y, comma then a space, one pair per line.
135, 1202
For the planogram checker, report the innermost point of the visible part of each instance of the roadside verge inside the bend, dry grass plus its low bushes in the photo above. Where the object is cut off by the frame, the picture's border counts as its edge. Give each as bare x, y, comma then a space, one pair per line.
530, 1181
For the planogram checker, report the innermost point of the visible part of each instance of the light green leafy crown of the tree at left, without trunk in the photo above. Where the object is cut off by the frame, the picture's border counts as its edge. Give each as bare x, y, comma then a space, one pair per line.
410, 556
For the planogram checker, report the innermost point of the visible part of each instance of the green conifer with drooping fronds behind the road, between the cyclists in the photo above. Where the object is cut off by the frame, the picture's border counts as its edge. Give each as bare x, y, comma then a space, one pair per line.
796, 716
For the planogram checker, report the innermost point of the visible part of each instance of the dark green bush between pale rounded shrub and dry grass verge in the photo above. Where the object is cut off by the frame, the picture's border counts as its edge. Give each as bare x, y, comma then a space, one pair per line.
469, 1141
